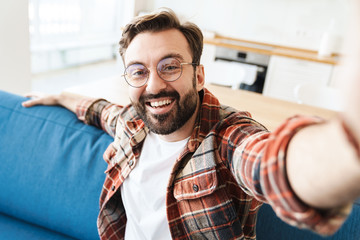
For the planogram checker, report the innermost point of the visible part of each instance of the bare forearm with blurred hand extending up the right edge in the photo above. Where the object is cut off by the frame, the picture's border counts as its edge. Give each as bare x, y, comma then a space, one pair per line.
323, 161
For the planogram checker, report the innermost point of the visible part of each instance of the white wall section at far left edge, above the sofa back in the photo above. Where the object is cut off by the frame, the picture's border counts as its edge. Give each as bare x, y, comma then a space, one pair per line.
14, 47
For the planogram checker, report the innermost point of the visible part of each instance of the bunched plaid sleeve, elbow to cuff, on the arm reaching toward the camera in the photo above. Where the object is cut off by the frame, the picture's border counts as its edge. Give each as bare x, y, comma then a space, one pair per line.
259, 165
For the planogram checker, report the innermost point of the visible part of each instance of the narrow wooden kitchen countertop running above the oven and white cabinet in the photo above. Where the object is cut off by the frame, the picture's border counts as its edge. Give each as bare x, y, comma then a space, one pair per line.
270, 49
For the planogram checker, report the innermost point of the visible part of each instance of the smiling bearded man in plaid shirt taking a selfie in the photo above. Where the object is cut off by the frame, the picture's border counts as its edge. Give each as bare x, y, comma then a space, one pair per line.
183, 166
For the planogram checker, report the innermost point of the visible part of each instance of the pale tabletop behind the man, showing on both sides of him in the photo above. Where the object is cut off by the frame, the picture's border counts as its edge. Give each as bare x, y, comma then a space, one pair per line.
268, 111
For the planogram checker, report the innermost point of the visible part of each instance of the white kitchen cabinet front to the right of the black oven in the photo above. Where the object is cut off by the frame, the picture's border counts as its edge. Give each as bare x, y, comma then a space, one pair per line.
284, 74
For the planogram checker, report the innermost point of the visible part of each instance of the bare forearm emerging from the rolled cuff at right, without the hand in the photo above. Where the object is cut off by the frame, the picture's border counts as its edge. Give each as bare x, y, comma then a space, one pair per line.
323, 167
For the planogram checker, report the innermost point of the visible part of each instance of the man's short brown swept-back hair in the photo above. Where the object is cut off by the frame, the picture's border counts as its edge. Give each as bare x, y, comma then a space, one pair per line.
160, 21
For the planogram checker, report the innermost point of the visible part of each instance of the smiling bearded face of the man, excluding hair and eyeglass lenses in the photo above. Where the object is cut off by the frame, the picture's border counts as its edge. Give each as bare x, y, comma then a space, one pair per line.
164, 106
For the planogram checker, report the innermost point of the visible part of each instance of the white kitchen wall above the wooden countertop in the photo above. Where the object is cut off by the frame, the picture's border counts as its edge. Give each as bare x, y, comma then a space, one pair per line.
295, 23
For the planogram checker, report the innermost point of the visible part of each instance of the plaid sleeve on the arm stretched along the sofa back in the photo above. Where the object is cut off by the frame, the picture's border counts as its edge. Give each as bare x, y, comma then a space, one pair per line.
99, 113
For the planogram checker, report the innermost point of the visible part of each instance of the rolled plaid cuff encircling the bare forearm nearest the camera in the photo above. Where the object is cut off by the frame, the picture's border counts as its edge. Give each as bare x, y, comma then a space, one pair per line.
281, 196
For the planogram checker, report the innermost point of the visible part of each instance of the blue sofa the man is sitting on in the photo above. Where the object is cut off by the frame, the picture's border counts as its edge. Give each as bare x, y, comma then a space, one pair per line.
51, 175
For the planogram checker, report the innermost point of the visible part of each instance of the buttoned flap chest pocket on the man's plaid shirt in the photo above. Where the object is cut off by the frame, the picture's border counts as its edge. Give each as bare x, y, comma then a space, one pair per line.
204, 204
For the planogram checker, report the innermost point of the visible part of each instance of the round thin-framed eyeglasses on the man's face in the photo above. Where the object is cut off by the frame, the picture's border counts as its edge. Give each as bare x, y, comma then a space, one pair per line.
168, 69
